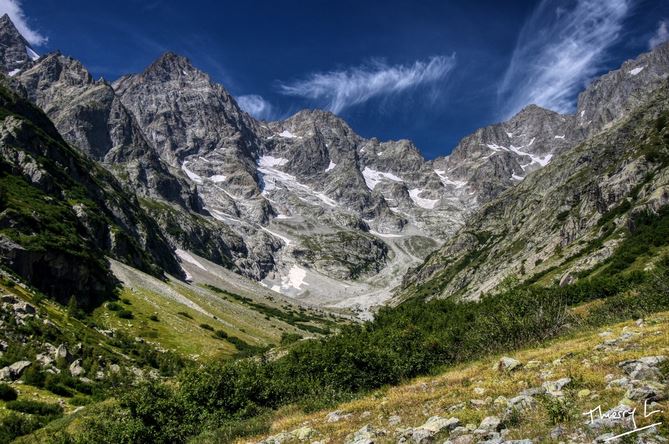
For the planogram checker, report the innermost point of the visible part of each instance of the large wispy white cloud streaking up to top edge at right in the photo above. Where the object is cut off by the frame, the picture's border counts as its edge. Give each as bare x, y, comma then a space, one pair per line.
559, 49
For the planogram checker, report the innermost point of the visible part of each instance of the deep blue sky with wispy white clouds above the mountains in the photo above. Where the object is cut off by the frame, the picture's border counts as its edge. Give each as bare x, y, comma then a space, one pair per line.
429, 71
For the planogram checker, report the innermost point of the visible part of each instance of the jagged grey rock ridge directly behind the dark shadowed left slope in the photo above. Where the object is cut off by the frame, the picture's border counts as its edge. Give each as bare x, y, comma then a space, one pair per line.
90, 116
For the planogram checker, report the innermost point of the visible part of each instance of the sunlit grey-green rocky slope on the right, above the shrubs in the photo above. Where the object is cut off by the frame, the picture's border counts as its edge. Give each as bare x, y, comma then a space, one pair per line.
552, 214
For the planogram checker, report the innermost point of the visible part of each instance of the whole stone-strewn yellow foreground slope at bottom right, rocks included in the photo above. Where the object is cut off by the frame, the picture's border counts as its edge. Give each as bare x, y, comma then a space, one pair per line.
544, 399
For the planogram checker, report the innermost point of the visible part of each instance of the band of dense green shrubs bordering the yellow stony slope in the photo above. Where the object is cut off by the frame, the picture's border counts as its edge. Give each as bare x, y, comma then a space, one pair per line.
221, 401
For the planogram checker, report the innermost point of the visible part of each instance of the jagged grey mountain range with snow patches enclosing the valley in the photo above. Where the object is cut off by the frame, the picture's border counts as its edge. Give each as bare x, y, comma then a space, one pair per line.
305, 205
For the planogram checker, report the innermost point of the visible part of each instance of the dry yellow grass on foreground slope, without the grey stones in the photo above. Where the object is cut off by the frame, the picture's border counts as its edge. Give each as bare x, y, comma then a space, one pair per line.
574, 356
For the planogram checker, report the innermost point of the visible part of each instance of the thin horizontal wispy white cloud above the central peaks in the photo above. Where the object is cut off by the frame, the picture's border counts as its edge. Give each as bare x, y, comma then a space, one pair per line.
338, 90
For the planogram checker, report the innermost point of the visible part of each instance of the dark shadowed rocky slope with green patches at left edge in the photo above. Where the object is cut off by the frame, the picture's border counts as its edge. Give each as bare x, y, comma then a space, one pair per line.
87, 200
